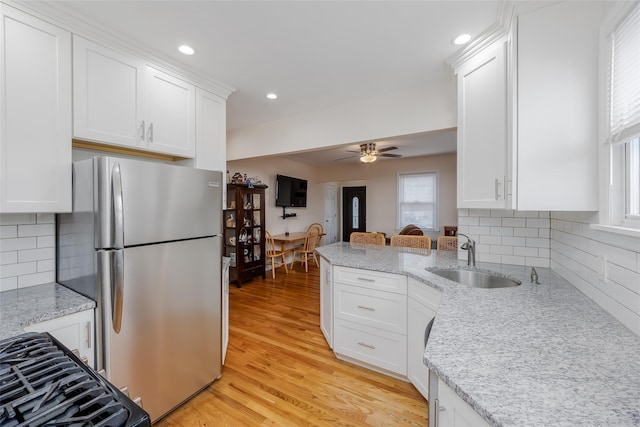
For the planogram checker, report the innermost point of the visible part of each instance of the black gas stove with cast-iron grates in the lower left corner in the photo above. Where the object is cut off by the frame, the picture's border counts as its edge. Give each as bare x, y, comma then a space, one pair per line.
42, 383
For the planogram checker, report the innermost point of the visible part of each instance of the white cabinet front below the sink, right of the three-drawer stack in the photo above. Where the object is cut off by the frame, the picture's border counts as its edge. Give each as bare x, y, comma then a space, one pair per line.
422, 305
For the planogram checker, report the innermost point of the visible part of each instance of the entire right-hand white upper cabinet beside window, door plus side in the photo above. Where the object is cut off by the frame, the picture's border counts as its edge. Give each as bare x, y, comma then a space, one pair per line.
528, 113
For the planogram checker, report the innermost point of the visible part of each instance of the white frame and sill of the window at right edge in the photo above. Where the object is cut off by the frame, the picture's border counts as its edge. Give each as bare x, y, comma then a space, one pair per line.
617, 172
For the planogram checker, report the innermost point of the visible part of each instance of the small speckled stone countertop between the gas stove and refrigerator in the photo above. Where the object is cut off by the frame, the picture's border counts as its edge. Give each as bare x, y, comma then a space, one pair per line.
34, 304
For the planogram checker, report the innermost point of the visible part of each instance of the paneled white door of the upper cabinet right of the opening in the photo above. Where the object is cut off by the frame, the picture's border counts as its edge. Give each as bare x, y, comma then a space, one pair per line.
482, 129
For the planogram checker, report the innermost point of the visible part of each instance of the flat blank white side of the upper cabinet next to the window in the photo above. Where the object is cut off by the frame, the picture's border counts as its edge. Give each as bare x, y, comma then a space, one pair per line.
557, 114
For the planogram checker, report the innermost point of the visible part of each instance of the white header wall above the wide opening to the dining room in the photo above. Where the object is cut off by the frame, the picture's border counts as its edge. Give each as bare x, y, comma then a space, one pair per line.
401, 113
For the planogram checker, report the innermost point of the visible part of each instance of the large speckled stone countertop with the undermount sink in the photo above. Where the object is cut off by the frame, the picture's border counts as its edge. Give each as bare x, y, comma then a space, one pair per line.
532, 355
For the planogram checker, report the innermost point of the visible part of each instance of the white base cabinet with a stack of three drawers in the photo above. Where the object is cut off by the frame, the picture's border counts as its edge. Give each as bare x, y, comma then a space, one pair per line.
370, 323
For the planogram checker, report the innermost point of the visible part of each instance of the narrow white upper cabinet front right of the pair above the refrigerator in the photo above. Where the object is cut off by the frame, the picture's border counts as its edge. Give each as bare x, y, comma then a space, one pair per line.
211, 129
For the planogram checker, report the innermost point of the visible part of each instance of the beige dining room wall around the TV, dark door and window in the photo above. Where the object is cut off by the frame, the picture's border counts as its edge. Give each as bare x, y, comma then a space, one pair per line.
379, 178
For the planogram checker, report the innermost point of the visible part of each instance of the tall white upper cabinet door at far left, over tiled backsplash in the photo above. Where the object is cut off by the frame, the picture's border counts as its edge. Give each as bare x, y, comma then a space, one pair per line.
35, 115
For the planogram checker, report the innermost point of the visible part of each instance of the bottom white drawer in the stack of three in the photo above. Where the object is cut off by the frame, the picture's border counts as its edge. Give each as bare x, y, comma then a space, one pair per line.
379, 348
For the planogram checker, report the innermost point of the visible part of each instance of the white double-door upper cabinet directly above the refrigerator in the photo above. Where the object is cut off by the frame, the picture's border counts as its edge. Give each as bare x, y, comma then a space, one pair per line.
120, 100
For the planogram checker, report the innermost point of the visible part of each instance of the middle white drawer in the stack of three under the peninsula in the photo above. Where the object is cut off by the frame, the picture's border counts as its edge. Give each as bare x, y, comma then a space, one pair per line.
370, 307
